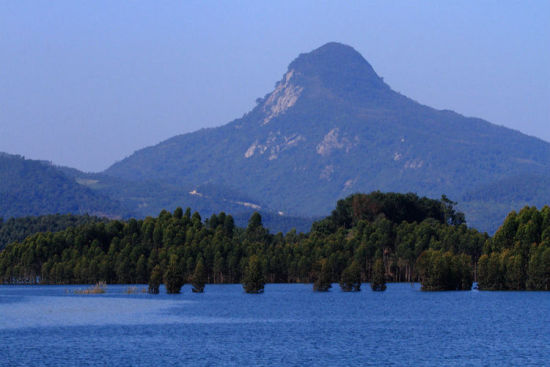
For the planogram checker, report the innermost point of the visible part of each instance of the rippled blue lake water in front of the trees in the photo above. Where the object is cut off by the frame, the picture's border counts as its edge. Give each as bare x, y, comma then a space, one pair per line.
288, 325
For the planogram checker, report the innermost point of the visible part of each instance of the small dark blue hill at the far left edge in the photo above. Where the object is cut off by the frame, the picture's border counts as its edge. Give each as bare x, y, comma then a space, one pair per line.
29, 187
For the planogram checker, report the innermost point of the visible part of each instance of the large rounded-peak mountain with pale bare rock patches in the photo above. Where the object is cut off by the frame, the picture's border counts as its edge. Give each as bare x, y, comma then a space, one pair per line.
332, 127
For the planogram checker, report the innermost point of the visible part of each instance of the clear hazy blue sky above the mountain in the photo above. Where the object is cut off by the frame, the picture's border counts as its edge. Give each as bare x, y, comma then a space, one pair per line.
86, 83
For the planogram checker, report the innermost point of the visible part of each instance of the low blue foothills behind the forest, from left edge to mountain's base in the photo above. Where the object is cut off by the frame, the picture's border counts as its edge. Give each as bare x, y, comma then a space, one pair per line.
36, 196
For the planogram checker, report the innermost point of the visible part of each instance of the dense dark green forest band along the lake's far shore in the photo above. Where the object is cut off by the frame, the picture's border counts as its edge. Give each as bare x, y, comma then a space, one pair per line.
376, 237
